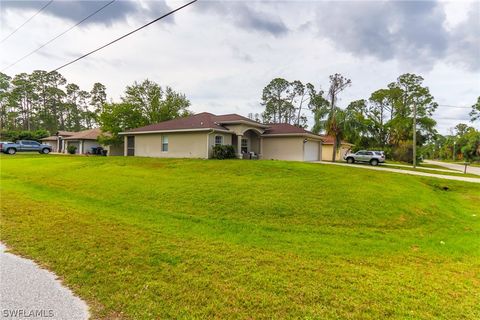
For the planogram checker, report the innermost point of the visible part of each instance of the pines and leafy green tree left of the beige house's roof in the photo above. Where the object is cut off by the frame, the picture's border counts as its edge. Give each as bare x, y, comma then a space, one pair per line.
34, 105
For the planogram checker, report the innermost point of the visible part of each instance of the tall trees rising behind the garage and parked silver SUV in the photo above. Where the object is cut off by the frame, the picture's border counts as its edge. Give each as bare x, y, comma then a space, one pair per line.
383, 121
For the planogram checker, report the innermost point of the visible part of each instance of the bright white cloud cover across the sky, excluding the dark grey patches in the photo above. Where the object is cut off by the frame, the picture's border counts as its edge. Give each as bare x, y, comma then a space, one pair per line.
222, 63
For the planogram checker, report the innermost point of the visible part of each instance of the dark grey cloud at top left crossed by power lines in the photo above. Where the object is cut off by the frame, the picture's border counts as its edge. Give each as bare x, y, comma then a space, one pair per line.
75, 11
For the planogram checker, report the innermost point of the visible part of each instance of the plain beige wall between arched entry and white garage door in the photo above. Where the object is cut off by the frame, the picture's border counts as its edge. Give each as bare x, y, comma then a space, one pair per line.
282, 148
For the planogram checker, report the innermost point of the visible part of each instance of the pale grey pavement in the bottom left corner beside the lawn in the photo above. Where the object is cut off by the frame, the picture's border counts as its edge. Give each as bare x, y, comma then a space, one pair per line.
29, 292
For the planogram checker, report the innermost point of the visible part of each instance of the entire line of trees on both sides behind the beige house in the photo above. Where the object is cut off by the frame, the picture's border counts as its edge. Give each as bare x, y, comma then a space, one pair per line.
40, 103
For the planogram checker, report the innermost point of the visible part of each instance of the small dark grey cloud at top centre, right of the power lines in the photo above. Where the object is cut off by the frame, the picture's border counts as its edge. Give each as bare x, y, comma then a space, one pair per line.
247, 16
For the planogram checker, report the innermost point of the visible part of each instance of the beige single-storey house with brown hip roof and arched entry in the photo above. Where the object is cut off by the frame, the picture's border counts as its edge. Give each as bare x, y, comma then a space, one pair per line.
195, 136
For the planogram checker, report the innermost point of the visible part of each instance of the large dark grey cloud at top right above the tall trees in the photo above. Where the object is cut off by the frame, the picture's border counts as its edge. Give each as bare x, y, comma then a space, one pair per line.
411, 31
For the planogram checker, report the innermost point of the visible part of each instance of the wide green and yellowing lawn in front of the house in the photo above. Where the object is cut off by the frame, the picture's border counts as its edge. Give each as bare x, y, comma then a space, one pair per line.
141, 238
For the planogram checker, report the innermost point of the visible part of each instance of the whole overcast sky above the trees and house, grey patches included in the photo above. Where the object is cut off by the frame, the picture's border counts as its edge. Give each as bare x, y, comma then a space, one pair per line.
221, 54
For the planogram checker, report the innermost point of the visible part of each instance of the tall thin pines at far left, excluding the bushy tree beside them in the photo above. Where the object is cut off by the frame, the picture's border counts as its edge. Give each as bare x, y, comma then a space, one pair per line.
42, 100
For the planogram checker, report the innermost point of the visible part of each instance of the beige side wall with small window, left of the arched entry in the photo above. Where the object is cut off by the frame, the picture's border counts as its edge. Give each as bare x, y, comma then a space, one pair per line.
180, 145
